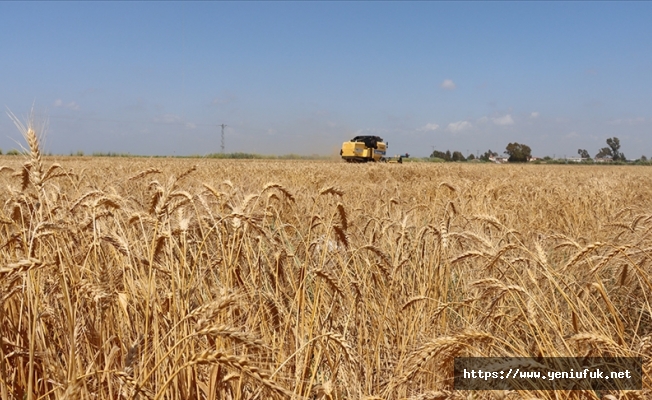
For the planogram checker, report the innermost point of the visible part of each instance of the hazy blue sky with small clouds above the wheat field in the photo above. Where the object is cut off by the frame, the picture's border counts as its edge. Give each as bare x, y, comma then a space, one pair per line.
301, 77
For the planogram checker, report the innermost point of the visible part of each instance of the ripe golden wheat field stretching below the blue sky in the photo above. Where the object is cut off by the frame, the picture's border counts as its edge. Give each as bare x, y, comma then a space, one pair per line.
132, 278
